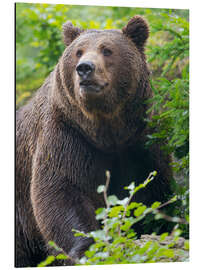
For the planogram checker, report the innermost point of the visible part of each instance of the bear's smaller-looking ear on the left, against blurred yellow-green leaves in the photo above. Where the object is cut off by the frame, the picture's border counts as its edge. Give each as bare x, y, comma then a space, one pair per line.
70, 32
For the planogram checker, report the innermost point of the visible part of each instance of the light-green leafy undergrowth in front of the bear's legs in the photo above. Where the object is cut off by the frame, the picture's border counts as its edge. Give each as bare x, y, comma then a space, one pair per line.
116, 242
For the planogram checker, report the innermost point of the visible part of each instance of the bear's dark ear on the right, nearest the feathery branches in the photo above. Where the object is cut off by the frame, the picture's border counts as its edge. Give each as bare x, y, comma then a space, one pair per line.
137, 30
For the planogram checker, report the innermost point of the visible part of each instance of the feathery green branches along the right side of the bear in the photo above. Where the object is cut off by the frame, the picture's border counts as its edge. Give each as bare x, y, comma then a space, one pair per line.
171, 89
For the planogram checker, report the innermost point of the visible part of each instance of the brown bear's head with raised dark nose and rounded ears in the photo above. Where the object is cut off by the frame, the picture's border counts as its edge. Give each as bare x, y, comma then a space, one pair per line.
101, 70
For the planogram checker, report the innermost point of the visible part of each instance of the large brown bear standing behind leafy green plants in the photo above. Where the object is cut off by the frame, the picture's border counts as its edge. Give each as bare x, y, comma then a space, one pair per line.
88, 117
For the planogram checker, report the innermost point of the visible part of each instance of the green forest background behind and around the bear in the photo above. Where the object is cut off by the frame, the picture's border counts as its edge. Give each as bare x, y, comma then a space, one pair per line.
39, 46
